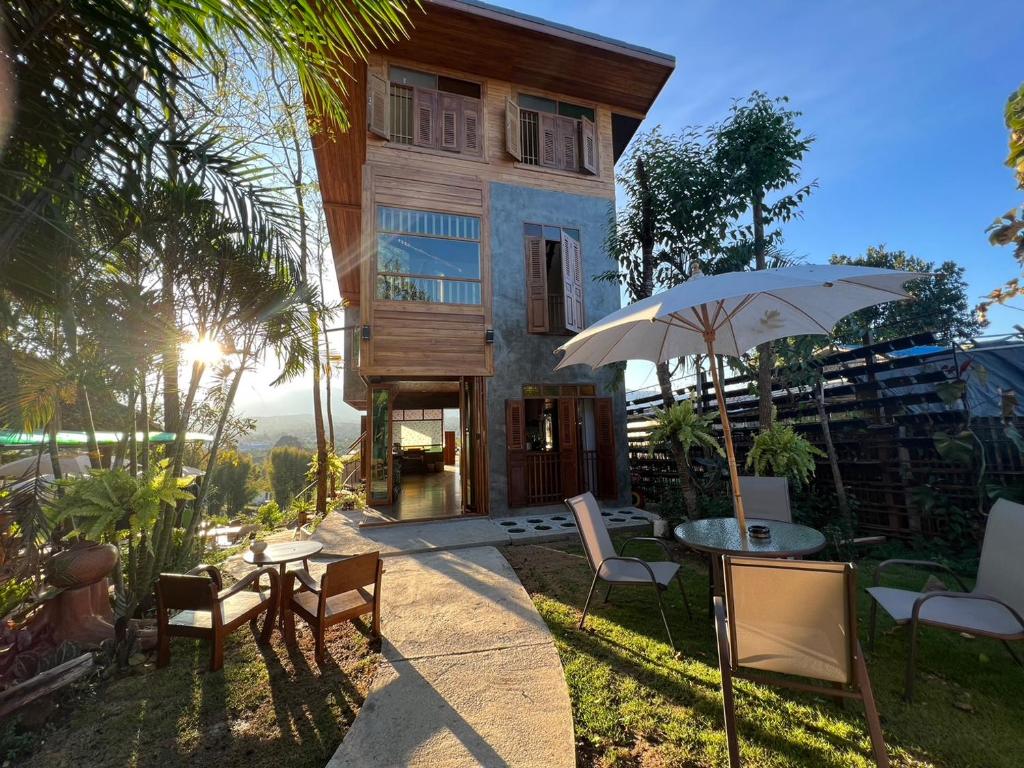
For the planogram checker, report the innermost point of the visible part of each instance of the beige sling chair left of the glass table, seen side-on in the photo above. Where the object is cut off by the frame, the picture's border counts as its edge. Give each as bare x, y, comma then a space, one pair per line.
617, 570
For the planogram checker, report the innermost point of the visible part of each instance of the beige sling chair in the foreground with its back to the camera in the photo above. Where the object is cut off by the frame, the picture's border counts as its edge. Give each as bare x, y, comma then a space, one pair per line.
793, 618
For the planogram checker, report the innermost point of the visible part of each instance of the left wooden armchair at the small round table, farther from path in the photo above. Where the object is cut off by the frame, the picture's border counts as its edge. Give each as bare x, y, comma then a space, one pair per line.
210, 613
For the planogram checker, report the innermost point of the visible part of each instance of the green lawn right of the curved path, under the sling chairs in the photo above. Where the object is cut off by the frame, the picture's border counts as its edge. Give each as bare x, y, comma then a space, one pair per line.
635, 705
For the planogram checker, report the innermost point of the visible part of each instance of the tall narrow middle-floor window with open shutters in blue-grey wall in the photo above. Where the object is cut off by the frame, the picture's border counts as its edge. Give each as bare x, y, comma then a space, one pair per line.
554, 280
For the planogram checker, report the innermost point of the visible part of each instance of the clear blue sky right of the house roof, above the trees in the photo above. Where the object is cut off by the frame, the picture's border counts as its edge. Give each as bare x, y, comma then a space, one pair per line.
906, 100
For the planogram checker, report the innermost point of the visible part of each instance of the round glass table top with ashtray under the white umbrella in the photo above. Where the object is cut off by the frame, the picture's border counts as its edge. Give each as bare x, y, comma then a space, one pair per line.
720, 536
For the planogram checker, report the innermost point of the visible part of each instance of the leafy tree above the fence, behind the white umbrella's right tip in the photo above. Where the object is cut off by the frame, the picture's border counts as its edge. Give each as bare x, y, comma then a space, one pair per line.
941, 303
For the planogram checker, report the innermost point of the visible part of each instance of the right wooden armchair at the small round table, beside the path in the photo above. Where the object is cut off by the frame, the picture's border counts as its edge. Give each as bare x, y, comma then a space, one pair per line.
340, 596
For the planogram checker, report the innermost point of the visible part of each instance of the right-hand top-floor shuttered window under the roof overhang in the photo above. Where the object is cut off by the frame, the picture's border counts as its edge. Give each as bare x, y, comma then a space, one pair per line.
553, 135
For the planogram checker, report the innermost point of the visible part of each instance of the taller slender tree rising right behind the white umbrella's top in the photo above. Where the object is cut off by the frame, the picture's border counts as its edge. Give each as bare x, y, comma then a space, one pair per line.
759, 149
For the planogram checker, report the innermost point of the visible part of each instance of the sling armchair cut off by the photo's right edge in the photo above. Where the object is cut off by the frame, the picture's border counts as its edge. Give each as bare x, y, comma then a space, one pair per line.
994, 609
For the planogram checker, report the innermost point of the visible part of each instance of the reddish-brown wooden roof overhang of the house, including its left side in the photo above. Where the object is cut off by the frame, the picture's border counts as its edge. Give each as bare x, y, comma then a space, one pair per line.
493, 42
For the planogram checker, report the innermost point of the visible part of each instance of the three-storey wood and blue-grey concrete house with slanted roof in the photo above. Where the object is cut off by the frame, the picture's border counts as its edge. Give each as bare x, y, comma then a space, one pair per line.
468, 209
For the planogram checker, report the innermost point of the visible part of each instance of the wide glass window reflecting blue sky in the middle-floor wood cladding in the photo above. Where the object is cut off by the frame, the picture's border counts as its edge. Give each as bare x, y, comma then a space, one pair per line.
426, 257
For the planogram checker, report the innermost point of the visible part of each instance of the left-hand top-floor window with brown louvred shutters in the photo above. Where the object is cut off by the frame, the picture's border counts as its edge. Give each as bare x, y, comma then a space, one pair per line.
423, 110
